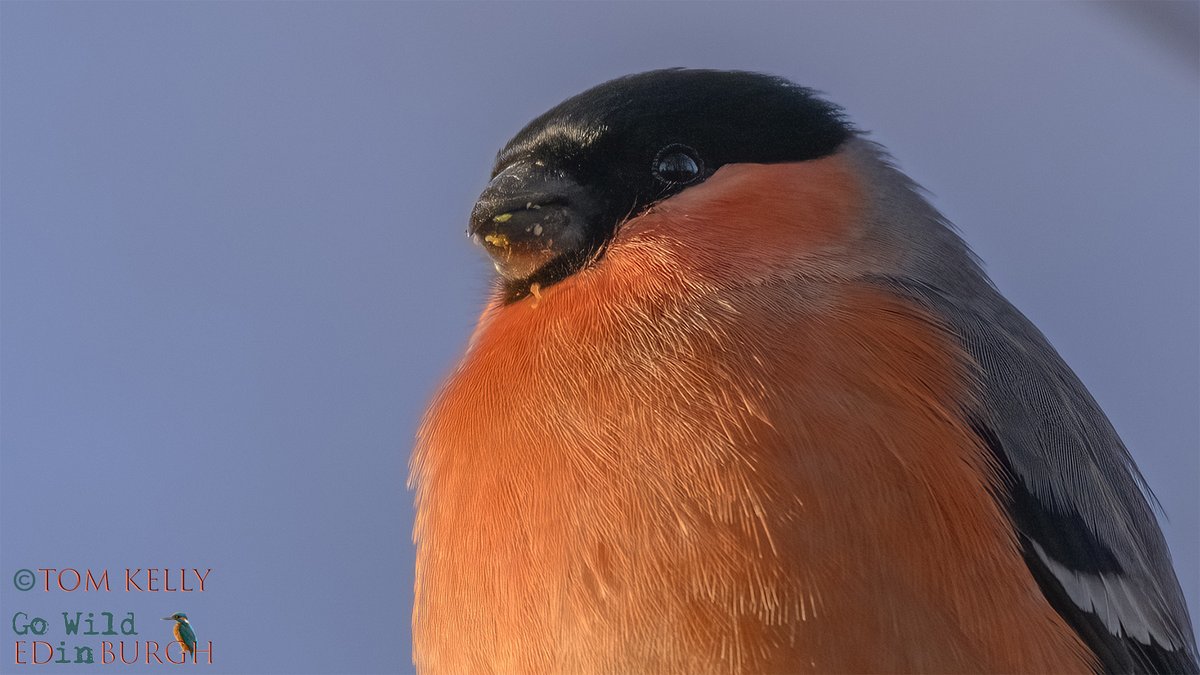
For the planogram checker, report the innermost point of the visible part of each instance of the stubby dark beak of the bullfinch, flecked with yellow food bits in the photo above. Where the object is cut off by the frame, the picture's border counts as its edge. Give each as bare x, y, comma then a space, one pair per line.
530, 219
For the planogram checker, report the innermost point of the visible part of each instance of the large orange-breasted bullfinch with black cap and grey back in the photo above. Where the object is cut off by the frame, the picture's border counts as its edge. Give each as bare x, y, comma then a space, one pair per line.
742, 401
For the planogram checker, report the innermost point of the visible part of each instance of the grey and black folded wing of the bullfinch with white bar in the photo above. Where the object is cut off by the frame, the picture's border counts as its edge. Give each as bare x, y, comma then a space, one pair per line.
1072, 491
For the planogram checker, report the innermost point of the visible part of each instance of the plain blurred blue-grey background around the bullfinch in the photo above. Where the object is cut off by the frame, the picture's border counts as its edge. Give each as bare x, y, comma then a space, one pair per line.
235, 267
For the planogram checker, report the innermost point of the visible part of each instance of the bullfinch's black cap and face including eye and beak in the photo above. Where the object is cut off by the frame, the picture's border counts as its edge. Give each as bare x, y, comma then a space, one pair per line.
565, 187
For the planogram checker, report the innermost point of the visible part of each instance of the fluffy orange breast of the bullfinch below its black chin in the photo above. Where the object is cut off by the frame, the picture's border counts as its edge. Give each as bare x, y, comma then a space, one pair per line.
659, 469
